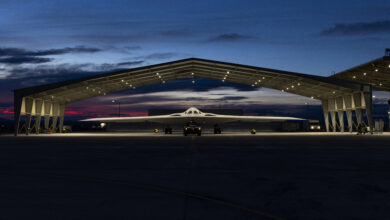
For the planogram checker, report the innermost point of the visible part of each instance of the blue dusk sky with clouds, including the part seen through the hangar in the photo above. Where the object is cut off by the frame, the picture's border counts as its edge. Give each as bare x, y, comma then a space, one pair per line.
47, 41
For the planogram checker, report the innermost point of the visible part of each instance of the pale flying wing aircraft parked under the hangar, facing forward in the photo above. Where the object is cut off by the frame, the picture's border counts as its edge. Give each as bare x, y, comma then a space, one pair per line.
192, 117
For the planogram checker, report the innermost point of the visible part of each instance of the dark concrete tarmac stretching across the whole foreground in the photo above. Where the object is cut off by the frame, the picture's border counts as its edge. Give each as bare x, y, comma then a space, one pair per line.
228, 176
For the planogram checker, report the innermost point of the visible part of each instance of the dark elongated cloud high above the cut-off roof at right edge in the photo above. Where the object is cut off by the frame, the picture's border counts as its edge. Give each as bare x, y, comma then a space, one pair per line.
361, 28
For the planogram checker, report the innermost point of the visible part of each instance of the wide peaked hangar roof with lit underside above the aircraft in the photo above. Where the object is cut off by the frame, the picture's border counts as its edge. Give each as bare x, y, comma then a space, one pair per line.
69, 91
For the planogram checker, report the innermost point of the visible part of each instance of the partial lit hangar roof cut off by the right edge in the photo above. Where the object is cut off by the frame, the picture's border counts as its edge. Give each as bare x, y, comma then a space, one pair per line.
375, 73
